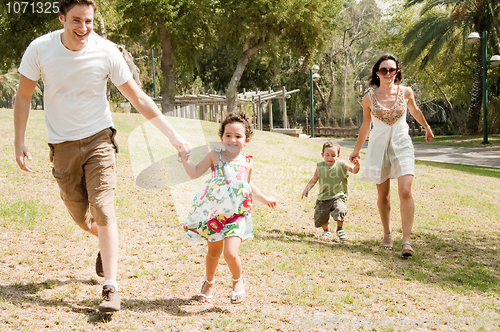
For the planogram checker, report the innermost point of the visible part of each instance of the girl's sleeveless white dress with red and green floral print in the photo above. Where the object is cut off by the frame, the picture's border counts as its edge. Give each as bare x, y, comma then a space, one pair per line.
222, 206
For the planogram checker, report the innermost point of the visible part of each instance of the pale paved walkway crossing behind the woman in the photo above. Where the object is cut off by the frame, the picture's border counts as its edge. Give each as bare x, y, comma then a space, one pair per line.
476, 156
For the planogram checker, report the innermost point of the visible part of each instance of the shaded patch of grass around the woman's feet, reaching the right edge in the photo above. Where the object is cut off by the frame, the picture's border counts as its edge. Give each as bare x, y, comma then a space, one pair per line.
458, 260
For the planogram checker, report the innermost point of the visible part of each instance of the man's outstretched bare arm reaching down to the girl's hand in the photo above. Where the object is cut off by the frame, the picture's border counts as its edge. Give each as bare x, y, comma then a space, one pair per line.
147, 107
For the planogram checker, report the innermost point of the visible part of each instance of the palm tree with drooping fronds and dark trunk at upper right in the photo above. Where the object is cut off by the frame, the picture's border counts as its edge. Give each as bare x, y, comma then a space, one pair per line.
445, 25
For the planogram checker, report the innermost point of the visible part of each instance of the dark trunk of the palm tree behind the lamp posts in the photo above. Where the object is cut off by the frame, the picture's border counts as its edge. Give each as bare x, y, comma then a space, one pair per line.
472, 125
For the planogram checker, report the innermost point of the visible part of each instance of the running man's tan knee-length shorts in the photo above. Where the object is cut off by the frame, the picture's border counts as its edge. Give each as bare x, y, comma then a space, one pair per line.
85, 171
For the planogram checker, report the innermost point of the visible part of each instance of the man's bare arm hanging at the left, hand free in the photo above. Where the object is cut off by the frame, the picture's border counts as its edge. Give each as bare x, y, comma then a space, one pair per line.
22, 106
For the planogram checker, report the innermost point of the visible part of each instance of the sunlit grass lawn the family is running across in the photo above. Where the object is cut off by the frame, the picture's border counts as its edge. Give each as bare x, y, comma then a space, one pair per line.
295, 281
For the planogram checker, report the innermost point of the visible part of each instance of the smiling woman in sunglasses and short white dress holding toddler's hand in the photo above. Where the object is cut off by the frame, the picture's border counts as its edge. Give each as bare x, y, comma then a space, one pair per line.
390, 152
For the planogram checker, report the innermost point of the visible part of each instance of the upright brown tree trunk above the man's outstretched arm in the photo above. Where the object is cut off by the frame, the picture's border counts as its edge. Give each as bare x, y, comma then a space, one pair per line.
168, 71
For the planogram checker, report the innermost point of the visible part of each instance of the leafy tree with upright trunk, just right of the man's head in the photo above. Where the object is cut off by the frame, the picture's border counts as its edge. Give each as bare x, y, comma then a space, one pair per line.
181, 29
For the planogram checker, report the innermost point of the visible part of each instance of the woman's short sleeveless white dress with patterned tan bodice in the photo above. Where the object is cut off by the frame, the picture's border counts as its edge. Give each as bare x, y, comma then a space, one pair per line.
390, 151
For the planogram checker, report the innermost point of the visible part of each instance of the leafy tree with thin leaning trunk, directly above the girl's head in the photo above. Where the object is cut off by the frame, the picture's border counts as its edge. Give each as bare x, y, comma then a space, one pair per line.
250, 26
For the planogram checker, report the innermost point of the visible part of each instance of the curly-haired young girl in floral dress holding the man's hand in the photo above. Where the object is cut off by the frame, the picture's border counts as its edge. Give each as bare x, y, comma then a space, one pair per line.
221, 211
